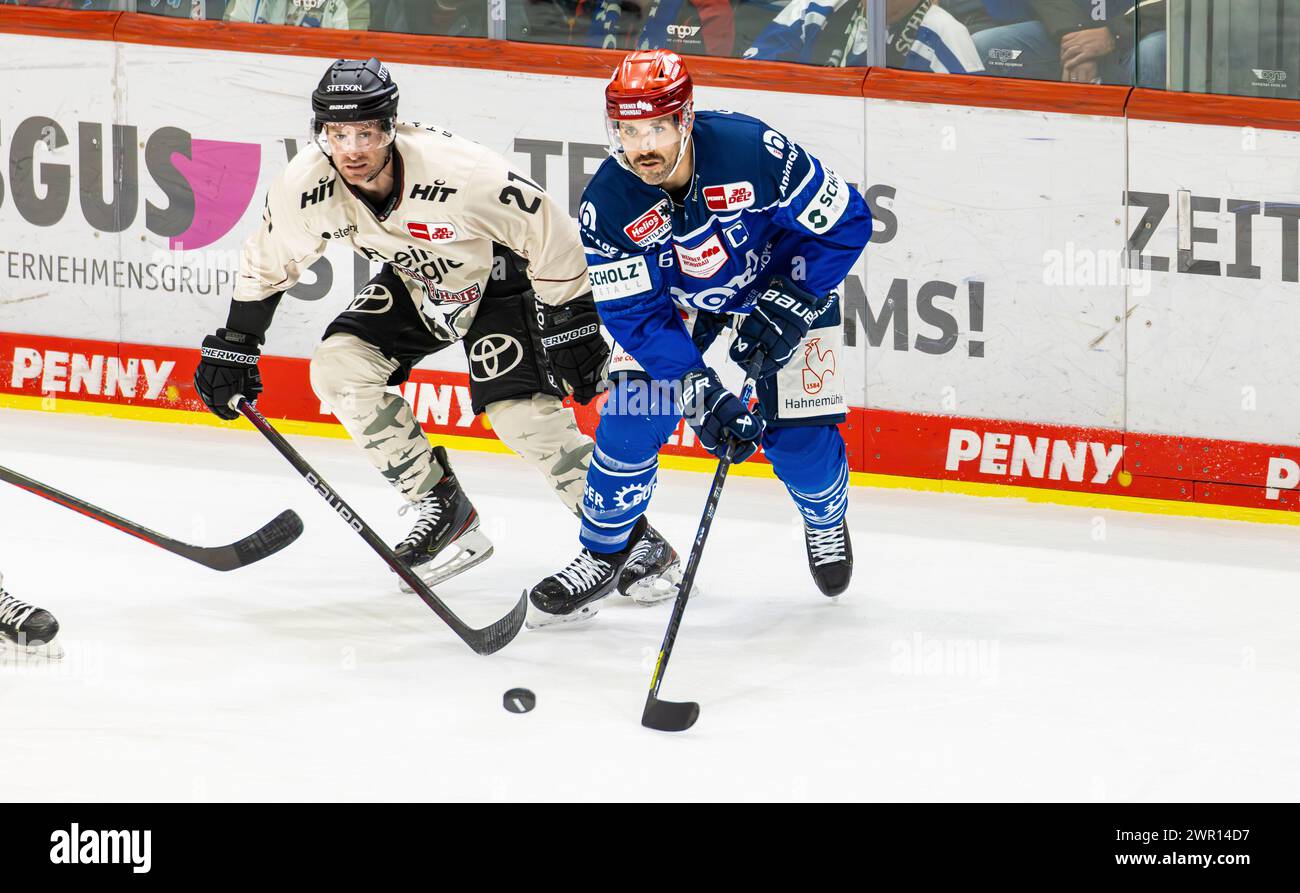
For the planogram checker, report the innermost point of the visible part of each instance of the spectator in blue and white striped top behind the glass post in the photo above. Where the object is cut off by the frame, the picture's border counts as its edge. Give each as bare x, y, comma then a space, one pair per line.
922, 37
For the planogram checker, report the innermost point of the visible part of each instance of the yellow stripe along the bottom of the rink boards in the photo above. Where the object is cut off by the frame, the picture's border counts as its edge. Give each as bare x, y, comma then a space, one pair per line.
1099, 501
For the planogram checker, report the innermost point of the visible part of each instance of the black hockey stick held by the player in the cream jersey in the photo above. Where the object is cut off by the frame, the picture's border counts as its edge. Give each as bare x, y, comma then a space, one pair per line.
483, 641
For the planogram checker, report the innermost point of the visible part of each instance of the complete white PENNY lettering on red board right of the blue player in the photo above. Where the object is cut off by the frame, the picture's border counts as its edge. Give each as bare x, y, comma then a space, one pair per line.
1017, 456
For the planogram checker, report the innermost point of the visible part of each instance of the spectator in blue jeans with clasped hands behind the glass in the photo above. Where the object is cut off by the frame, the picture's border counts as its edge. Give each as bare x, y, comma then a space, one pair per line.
1063, 41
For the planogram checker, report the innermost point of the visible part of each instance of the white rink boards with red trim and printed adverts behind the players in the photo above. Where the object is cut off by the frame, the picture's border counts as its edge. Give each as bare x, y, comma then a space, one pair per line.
1085, 296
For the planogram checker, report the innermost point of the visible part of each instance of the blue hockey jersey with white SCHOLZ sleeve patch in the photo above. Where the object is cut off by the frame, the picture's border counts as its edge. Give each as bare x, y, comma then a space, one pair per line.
759, 206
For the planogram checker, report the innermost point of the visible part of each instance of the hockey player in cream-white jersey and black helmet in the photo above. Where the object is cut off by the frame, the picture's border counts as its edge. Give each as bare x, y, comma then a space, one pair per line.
471, 252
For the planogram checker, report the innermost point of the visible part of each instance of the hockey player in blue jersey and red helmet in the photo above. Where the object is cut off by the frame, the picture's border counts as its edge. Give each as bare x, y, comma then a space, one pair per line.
725, 222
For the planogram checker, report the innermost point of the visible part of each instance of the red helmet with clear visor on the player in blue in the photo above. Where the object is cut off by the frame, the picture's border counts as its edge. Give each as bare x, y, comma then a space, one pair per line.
649, 84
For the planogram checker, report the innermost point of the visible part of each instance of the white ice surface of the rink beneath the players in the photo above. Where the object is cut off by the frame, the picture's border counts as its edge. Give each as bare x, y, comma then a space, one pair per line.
987, 649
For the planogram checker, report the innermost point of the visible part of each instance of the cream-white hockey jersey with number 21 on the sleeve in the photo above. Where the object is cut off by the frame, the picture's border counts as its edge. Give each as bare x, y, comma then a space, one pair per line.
453, 201
